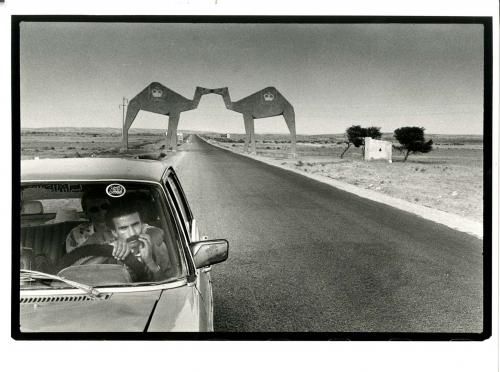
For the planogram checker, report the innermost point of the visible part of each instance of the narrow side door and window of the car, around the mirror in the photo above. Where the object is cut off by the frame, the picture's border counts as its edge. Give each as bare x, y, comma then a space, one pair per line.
203, 281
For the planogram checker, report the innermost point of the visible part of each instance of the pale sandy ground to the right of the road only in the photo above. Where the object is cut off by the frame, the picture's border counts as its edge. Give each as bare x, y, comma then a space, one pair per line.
450, 178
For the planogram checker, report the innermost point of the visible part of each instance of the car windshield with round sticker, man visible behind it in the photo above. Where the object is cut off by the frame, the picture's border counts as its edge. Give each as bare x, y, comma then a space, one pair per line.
98, 234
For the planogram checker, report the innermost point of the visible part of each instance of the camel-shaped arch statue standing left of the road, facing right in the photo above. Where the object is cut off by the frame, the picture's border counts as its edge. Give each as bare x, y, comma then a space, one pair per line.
159, 99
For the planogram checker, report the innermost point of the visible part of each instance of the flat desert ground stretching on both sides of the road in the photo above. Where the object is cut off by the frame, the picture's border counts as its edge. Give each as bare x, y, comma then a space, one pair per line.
449, 178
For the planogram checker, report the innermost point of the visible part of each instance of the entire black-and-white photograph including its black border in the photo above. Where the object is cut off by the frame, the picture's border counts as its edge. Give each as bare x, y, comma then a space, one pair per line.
252, 178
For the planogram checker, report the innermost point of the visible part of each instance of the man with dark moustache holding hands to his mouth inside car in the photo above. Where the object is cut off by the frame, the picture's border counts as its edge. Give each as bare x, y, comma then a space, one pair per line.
133, 236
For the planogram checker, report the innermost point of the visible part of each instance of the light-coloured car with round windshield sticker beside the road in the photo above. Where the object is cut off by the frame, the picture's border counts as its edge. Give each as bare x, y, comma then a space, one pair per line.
63, 290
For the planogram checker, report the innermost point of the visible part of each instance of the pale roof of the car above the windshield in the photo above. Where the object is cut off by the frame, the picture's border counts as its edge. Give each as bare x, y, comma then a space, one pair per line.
92, 169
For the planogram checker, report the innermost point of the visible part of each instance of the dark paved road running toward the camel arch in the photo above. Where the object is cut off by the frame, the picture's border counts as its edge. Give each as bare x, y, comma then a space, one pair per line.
305, 256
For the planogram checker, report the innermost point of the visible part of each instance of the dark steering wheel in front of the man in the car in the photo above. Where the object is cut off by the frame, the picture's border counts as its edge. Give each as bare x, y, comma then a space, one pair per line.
100, 250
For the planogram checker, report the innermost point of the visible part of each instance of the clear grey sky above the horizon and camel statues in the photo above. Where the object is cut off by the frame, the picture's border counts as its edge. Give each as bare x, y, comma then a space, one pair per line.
335, 75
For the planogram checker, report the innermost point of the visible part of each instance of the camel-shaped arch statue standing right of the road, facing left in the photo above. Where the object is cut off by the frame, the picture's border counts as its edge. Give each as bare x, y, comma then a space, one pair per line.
265, 103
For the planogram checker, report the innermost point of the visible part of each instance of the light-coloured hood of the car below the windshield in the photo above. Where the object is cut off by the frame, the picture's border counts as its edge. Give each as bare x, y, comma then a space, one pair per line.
115, 312
